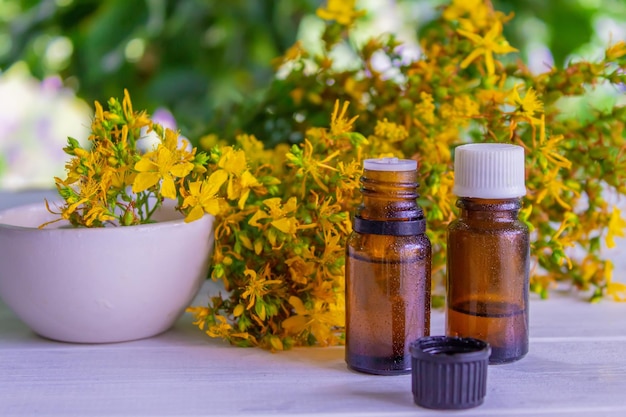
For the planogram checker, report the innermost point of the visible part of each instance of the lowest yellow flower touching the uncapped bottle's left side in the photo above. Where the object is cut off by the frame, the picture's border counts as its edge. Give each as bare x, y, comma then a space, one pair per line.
319, 321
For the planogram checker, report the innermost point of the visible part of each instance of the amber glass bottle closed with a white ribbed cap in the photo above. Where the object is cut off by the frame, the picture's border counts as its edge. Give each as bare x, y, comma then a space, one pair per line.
489, 251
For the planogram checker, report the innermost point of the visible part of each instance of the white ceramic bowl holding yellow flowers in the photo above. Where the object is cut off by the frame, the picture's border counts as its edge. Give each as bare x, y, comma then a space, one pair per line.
101, 285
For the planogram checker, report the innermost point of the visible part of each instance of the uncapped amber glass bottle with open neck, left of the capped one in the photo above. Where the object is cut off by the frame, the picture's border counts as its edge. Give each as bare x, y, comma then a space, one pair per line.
387, 270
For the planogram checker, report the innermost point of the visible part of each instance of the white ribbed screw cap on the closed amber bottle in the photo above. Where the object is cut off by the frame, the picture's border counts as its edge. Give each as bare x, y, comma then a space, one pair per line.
489, 170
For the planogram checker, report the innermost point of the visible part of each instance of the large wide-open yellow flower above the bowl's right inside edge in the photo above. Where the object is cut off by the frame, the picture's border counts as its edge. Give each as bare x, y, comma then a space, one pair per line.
160, 165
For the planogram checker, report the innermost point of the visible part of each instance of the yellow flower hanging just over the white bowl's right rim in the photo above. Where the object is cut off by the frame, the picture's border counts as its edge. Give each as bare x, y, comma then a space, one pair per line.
202, 196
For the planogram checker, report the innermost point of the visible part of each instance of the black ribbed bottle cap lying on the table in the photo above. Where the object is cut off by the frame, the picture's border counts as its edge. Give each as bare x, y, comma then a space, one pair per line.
449, 372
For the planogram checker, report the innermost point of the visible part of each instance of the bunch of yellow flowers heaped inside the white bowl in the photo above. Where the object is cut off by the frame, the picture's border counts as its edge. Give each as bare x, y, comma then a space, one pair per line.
112, 182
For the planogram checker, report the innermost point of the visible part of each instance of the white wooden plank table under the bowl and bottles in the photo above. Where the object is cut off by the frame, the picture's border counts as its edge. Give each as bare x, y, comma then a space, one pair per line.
576, 367
